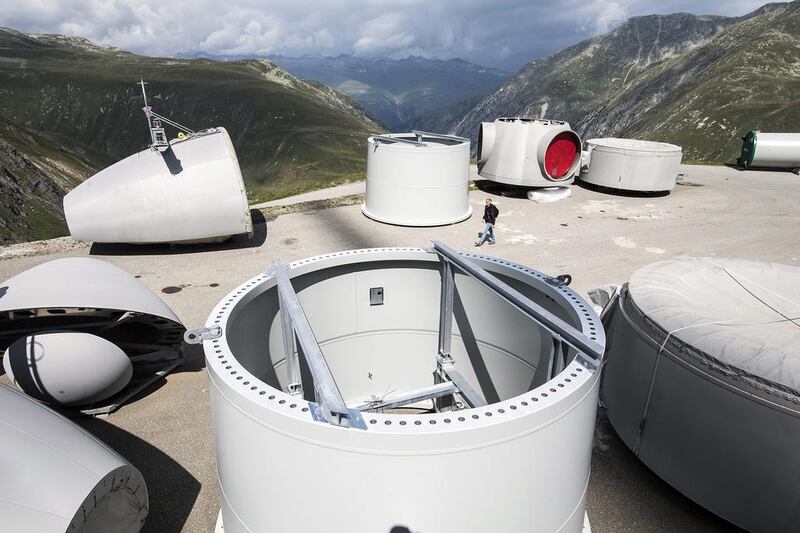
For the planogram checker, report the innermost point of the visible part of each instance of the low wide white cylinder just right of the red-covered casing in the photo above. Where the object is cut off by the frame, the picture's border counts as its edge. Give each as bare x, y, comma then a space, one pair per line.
632, 165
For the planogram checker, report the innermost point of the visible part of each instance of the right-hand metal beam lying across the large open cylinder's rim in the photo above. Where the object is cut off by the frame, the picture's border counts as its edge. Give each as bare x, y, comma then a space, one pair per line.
561, 330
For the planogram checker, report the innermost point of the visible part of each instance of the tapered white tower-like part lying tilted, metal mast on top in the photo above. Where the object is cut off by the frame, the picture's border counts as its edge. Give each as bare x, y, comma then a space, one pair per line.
191, 192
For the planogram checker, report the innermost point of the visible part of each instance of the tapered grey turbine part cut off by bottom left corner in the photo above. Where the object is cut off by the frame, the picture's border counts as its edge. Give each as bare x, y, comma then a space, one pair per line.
58, 478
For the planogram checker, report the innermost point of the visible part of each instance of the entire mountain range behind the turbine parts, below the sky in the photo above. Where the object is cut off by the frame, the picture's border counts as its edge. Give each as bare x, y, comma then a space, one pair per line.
68, 107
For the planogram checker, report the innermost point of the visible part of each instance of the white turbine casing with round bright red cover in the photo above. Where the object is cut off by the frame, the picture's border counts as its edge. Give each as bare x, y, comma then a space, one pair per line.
515, 152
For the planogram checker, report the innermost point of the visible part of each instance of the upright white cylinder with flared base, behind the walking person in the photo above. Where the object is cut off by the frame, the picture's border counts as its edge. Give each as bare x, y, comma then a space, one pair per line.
424, 184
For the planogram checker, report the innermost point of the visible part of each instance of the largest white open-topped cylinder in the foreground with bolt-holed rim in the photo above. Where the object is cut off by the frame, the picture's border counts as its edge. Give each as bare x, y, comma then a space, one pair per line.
376, 315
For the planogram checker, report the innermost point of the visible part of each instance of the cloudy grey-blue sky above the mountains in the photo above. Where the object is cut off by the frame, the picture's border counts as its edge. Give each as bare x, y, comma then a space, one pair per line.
498, 33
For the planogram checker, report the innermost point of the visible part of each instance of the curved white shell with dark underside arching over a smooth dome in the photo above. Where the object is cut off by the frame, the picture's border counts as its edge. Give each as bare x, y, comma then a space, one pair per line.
89, 295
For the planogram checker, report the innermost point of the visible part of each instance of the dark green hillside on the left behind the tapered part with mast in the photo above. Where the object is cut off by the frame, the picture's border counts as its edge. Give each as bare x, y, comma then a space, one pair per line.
68, 108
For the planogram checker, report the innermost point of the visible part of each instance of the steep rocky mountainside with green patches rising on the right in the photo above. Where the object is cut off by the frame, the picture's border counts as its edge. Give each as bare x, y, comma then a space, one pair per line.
696, 81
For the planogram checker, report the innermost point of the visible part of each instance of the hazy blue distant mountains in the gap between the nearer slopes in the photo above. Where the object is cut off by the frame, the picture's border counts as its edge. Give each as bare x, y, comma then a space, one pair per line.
401, 93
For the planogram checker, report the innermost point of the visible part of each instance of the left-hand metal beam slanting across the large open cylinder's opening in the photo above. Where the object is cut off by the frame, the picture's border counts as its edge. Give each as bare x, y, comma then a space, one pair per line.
331, 408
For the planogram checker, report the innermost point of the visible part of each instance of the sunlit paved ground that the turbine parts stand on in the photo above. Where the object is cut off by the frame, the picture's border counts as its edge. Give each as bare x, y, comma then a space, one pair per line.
597, 237
